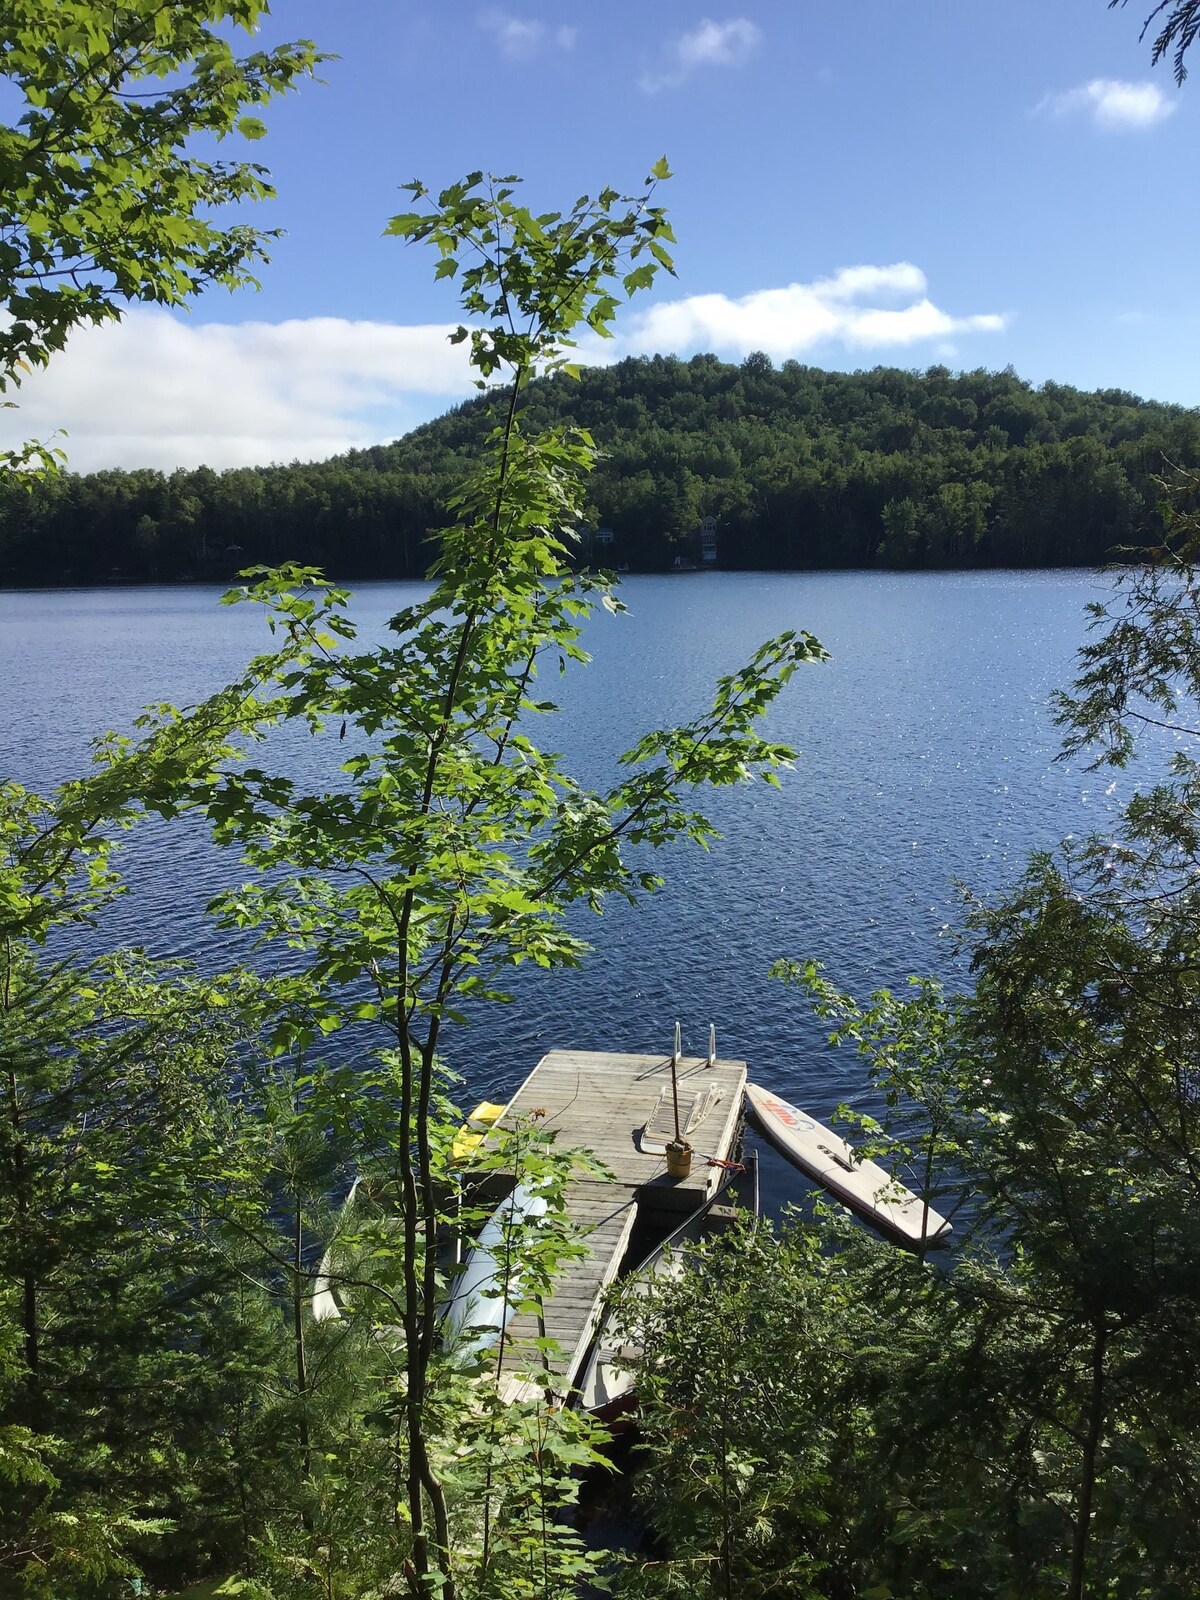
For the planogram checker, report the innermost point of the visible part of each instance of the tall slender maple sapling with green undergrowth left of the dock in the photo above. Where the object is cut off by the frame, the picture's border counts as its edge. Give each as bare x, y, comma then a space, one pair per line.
345, 1455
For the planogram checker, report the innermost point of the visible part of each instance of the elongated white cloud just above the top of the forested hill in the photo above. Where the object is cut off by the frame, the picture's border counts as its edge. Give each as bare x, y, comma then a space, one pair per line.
790, 322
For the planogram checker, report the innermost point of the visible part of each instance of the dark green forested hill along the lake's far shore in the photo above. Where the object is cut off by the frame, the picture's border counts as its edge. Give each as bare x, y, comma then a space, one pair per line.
799, 468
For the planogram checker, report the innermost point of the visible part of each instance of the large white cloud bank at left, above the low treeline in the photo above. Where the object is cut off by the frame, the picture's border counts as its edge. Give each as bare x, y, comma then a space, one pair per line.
158, 391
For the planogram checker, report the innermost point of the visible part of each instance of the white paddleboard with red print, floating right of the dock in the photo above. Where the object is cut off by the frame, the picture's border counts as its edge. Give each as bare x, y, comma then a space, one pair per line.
862, 1185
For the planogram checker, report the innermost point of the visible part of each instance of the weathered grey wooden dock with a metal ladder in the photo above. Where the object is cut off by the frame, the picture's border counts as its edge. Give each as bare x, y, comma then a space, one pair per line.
601, 1103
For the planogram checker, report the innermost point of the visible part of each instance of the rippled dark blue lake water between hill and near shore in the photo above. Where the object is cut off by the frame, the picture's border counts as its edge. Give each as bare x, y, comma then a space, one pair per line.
926, 758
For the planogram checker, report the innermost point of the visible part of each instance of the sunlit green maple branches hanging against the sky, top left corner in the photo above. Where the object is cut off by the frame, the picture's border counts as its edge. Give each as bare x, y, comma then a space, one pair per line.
103, 199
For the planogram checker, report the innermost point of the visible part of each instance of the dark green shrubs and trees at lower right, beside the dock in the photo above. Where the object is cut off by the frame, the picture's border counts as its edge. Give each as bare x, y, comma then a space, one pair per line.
1020, 1423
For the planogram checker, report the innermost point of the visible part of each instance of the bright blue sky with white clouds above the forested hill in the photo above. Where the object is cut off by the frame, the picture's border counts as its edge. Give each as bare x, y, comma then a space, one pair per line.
897, 182
